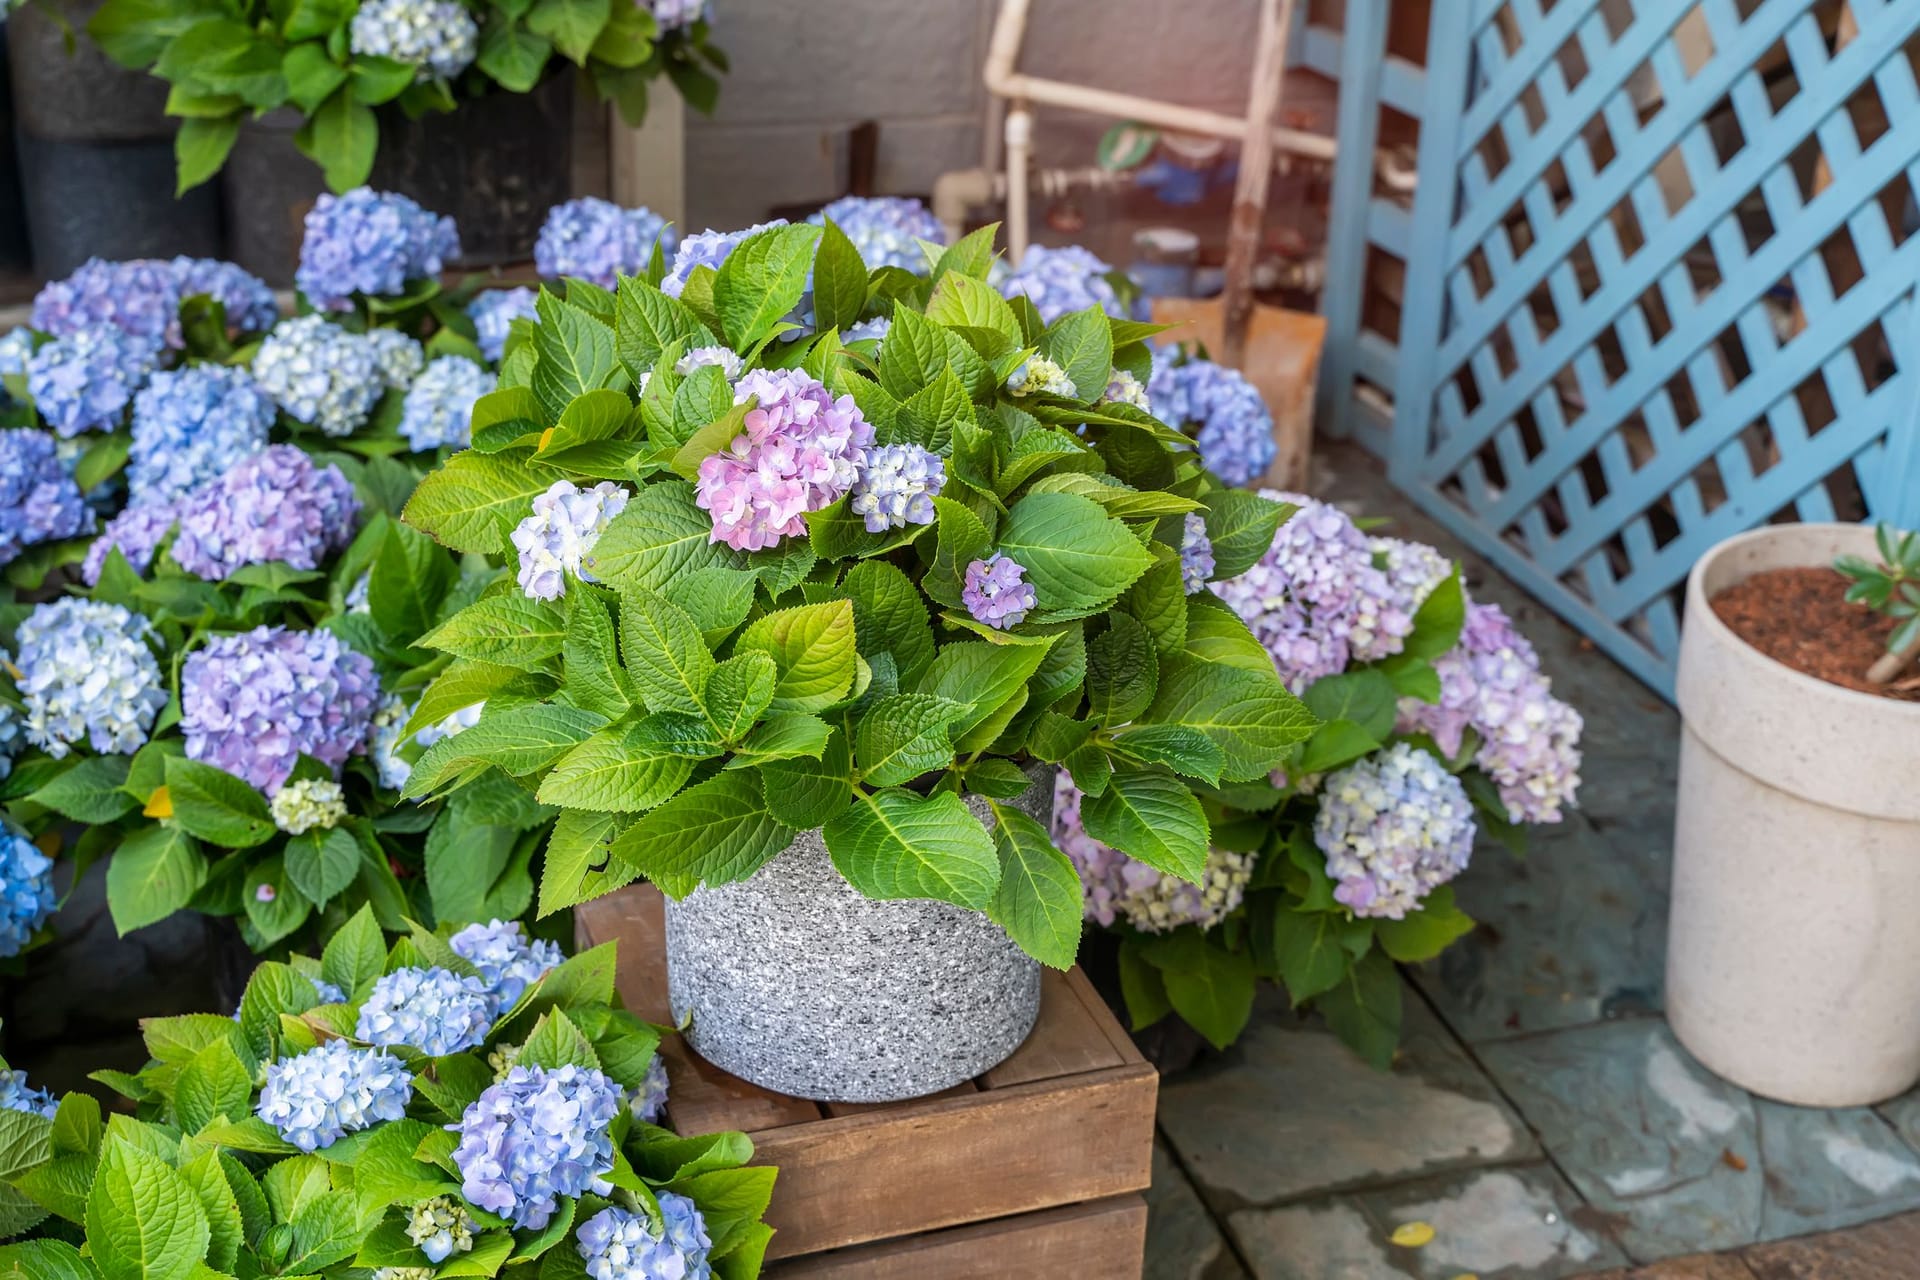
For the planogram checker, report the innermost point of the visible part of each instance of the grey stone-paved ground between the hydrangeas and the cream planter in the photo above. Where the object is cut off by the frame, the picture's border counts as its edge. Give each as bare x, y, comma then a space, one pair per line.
1541, 1118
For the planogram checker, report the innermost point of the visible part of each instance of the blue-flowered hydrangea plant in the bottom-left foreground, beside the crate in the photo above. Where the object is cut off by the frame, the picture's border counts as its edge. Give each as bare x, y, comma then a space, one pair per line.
460, 1106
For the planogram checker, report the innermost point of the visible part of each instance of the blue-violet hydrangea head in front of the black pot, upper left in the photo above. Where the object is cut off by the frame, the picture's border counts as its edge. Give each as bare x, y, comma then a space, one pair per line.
373, 243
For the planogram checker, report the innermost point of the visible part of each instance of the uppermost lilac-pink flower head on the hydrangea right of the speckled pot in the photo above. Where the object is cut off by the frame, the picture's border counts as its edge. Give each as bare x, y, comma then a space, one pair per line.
1316, 598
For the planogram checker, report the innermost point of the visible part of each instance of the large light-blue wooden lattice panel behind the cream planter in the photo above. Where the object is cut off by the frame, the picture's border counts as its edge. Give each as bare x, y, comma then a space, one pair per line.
1662, 289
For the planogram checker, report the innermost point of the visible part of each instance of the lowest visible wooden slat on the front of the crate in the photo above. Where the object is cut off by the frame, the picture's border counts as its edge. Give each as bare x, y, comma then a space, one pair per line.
1105, 1239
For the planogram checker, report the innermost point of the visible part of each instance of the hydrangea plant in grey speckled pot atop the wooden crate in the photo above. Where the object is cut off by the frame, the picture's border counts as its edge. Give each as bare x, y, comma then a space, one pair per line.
796, 630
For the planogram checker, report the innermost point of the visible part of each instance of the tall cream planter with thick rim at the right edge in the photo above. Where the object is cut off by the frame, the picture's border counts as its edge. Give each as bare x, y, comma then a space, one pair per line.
1794, 945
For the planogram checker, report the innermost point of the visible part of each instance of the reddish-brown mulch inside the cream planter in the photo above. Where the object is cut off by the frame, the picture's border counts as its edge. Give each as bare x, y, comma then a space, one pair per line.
1802, 617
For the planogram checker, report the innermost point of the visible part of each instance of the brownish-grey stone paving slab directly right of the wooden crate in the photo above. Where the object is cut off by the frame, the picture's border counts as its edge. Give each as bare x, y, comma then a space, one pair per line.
1291, 1112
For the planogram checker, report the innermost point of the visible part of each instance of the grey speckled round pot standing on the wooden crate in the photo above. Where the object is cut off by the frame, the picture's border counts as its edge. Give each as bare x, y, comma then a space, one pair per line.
798, 984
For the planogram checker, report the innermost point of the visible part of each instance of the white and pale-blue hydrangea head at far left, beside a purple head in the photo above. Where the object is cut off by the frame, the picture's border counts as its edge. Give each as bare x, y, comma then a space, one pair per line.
87, 676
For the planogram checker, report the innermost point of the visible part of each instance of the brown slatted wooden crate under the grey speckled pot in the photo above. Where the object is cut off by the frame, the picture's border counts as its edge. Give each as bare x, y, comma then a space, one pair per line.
1034, 1170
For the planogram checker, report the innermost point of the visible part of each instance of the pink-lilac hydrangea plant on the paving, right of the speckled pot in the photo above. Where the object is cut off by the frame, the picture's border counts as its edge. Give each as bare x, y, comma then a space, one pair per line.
1437, 724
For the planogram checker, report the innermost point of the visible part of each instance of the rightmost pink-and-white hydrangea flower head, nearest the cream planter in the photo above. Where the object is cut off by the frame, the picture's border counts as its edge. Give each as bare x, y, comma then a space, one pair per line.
1529, 740
